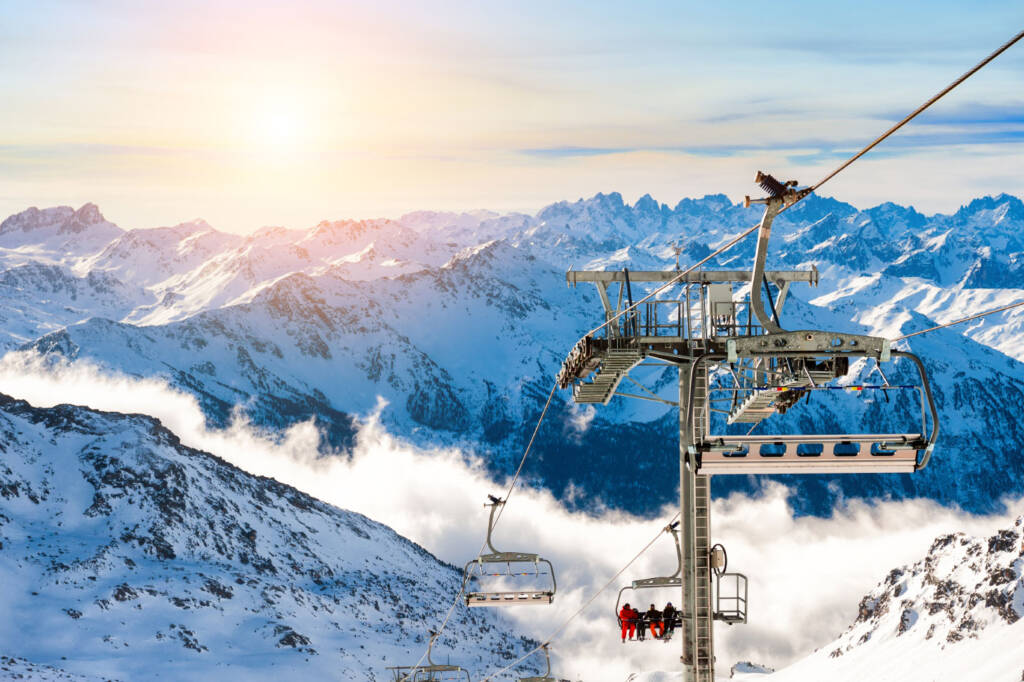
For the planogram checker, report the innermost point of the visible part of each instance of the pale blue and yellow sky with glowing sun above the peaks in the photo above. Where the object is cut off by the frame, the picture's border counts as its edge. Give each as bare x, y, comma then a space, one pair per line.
250, 114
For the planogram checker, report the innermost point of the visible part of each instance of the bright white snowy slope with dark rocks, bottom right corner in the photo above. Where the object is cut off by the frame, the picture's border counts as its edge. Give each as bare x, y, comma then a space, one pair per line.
956, 615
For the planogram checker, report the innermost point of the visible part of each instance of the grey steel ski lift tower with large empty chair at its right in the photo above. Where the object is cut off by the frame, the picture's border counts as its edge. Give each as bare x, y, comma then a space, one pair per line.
735, 359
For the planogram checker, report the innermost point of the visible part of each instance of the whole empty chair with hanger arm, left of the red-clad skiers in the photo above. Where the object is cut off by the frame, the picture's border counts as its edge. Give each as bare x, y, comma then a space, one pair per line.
507, 568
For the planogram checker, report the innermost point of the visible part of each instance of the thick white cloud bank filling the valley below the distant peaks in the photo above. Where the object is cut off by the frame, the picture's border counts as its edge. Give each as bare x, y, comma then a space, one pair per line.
806, 575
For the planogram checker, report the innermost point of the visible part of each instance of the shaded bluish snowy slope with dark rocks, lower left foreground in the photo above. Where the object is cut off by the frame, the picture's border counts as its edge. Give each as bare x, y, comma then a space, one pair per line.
126, 556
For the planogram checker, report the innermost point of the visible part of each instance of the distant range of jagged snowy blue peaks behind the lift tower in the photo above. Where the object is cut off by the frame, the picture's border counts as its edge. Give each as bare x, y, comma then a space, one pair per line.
460, 322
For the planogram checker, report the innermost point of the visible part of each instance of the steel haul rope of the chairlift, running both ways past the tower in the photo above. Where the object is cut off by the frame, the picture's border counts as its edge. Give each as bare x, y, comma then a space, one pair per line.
732, 243
